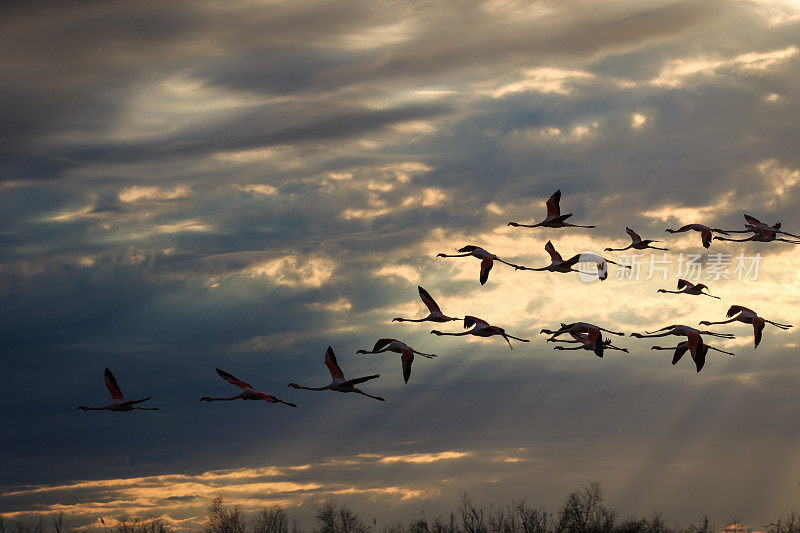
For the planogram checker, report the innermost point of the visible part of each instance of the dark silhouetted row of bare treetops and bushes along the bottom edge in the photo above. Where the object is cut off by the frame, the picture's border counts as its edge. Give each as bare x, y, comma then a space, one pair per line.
583, 511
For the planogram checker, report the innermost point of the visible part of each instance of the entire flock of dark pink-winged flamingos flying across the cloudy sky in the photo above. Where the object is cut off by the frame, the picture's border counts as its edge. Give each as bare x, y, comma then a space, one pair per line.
583, 335
